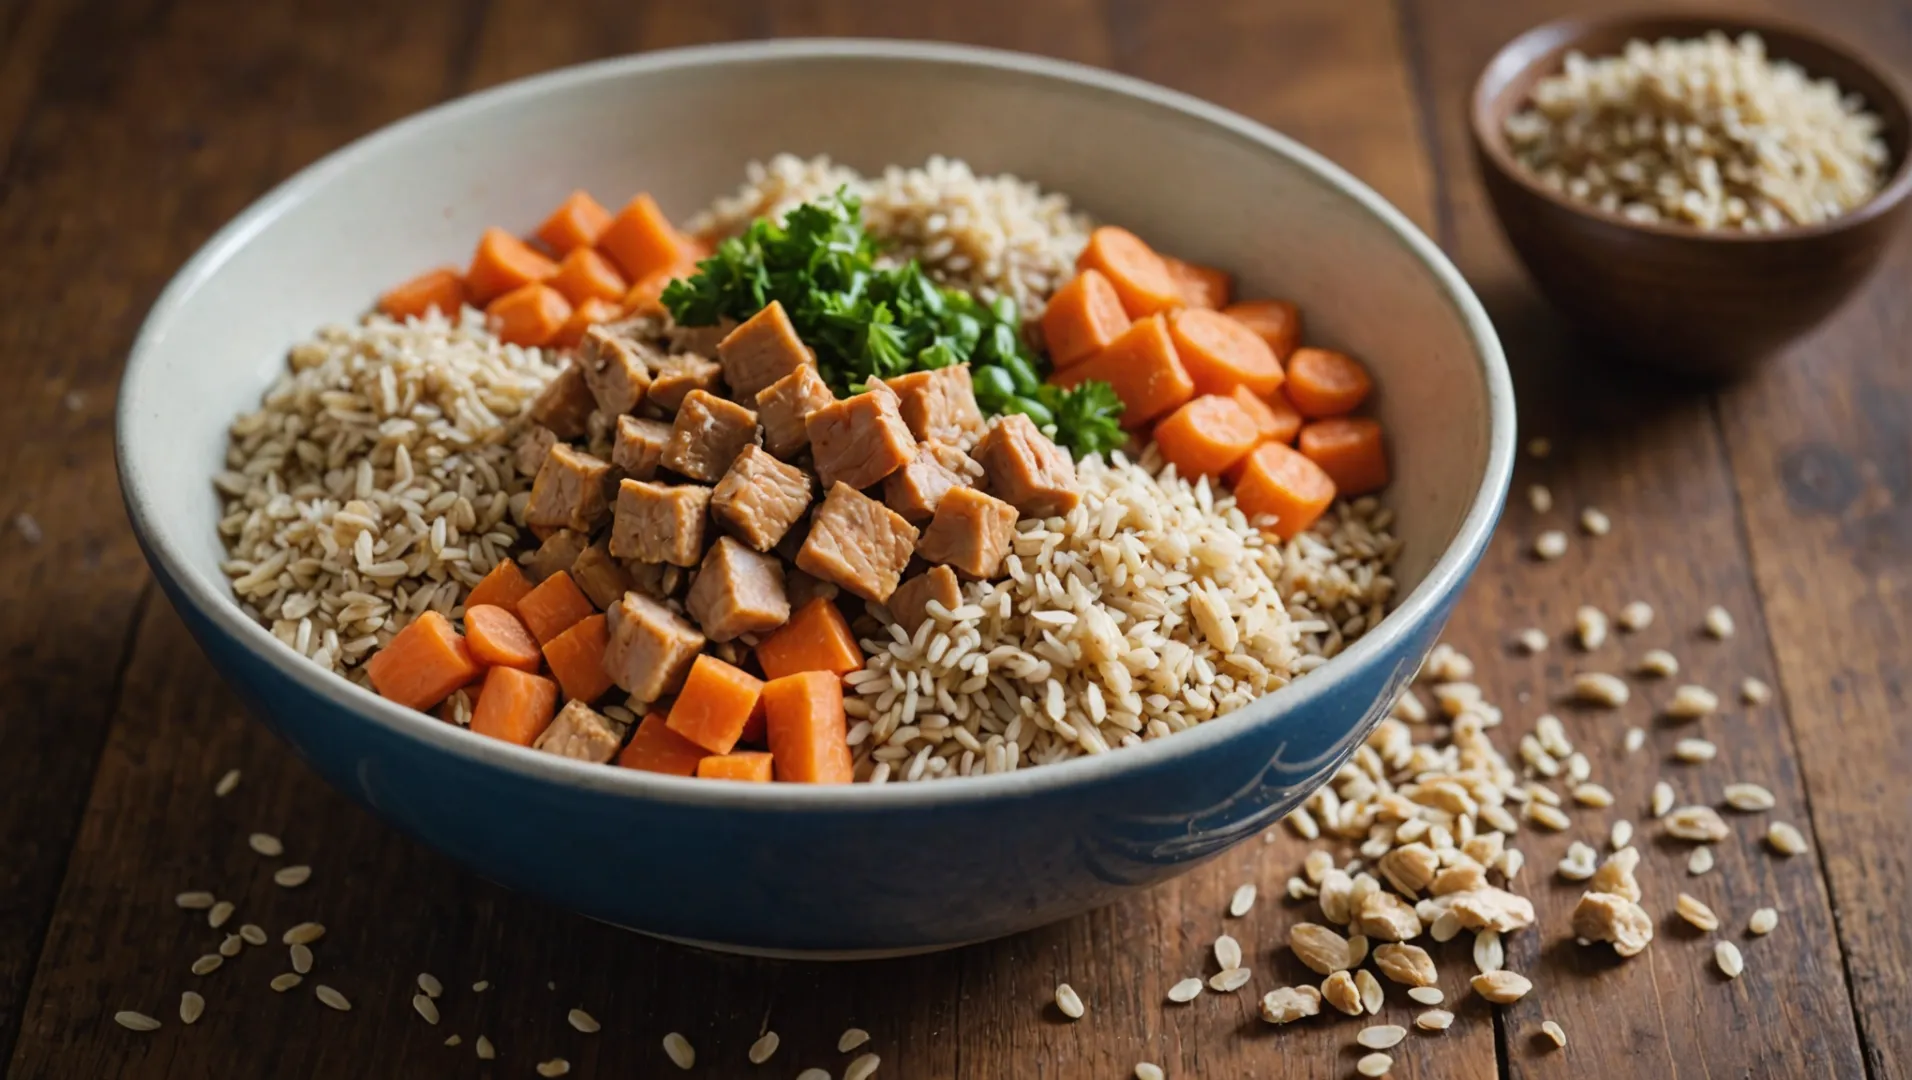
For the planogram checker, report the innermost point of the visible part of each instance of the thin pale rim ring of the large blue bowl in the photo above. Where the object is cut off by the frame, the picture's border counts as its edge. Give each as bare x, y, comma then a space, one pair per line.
215, 605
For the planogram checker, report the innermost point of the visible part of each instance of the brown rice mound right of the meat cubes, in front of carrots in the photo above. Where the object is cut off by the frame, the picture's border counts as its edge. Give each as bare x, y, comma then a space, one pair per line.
1150, 609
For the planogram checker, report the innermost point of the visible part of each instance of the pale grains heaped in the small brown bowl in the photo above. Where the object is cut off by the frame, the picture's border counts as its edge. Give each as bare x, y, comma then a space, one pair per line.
1706, 133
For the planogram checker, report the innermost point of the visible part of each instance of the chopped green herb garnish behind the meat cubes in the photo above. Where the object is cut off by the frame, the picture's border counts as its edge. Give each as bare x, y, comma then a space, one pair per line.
867, 320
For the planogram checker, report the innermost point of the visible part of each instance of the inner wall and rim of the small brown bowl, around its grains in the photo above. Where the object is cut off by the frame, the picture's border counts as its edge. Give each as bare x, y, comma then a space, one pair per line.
1511, 76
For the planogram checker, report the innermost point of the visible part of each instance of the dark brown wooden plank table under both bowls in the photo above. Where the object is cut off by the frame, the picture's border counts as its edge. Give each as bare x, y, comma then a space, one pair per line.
135, 129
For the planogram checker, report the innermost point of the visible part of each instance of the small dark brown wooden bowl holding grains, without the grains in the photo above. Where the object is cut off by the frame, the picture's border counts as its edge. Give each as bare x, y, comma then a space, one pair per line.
1703, 303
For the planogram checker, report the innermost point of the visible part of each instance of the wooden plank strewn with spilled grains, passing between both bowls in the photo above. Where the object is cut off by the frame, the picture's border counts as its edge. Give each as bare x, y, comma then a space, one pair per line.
1655, 464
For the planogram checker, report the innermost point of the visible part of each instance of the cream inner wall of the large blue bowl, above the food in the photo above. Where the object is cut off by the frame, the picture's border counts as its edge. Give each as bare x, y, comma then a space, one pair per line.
1192, 179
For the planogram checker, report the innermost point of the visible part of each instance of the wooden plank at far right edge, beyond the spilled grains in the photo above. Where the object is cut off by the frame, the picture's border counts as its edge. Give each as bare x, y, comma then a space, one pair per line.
1819, 450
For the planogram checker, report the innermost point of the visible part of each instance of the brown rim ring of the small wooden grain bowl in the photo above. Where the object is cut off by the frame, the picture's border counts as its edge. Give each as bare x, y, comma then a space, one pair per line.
1573, 30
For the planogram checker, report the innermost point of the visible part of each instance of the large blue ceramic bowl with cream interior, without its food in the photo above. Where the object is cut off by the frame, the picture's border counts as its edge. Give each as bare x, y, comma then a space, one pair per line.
850, 871
